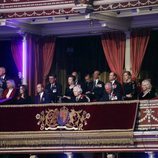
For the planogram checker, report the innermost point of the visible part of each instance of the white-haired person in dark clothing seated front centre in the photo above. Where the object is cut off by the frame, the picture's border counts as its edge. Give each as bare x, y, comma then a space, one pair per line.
79, 97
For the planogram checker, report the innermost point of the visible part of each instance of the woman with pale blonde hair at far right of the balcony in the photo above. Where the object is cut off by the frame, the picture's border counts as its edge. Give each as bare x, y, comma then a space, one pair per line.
147, 92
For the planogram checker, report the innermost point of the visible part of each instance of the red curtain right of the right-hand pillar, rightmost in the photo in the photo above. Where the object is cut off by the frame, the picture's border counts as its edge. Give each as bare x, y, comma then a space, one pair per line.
138, 43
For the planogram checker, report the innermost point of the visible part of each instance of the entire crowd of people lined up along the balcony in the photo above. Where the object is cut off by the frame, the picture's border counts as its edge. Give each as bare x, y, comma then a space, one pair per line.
92, 89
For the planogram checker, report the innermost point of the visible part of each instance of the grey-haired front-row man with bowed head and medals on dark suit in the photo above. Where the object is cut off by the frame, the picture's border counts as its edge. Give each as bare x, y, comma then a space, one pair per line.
110, 94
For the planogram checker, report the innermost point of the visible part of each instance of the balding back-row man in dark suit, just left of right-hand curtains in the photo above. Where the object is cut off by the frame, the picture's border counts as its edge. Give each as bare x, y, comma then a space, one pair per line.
98, 86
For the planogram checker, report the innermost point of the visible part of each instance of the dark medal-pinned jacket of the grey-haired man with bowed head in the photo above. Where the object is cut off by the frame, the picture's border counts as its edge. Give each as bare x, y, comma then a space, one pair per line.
111, 97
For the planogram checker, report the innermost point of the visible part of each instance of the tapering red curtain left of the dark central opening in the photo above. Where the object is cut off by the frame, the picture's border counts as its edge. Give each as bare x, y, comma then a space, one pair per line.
47, 56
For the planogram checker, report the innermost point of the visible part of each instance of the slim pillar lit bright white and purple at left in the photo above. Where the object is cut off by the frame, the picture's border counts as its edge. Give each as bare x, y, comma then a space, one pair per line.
24, 60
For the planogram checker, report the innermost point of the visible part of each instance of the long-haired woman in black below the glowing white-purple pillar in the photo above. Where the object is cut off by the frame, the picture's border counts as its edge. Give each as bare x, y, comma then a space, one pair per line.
23, 97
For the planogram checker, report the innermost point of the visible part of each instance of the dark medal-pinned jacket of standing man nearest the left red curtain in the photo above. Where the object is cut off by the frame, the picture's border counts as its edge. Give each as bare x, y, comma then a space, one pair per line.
55, 91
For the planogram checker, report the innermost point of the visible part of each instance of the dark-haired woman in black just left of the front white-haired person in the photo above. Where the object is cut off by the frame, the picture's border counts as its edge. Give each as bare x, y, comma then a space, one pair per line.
68, 97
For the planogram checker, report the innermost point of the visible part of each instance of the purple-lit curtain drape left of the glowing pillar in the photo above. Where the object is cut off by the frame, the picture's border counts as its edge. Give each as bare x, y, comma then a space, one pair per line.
16, 49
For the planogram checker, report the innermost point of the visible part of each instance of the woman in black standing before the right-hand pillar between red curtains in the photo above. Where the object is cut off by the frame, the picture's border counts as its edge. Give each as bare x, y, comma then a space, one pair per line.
129, 87
